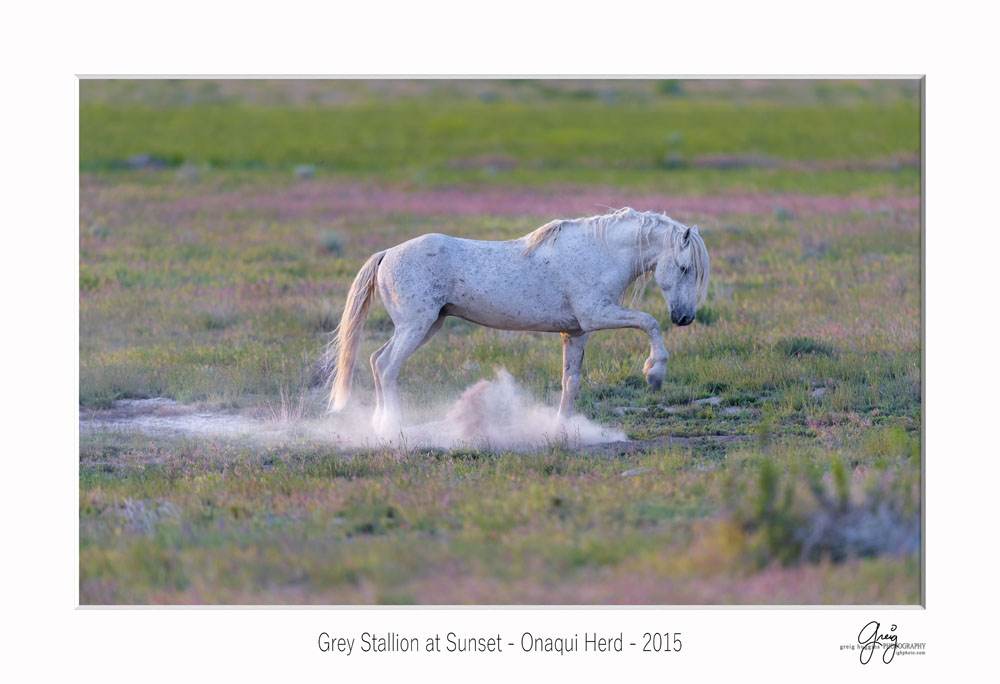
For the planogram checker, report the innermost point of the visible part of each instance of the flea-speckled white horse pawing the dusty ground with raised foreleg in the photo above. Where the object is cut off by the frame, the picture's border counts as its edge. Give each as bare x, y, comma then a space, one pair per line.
569, 276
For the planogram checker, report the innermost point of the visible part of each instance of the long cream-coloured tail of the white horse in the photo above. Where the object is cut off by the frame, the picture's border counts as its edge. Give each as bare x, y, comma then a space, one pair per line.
347, 337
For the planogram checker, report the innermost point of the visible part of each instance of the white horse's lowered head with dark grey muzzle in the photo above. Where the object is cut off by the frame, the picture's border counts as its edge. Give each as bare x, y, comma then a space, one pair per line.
682, 273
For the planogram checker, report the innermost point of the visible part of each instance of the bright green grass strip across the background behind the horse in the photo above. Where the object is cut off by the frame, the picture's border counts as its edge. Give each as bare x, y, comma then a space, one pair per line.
410, 133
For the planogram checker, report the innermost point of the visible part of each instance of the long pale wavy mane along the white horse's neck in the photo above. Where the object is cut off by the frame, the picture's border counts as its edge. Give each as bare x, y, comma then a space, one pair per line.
598, 227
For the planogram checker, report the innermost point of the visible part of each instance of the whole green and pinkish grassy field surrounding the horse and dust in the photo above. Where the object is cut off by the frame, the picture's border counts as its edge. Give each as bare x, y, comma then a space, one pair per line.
221, 224
